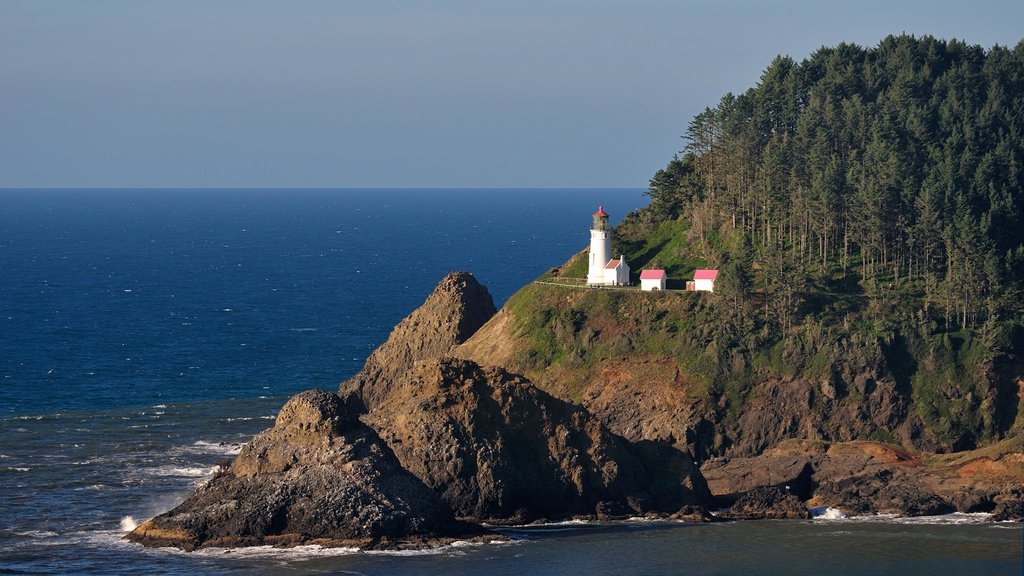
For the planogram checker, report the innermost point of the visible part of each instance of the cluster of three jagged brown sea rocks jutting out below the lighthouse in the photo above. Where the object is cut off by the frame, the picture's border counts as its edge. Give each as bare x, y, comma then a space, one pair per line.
414, 437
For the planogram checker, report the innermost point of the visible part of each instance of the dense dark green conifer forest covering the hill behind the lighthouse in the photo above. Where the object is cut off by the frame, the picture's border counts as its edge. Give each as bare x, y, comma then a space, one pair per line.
898, 170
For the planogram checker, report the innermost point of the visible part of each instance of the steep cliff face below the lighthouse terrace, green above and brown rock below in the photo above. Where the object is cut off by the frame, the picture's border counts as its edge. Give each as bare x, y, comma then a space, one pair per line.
668, 367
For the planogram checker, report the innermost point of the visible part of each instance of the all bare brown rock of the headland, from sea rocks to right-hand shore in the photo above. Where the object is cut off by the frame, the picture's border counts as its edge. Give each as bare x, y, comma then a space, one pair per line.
446, 430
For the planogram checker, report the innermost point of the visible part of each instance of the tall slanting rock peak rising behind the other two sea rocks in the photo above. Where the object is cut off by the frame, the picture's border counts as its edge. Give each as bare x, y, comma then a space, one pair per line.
457, 308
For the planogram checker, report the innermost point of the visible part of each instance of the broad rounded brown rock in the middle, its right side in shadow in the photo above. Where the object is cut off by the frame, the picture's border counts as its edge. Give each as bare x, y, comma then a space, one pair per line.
497, 448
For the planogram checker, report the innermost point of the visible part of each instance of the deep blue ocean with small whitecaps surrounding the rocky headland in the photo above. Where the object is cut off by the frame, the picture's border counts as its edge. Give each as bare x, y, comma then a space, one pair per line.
147, 335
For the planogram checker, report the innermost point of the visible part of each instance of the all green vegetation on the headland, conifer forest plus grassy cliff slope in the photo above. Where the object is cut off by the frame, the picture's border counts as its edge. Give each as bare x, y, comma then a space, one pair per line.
865, 209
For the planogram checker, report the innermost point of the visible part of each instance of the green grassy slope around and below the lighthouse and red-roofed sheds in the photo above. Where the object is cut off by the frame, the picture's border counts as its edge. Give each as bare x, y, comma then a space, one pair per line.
566, 340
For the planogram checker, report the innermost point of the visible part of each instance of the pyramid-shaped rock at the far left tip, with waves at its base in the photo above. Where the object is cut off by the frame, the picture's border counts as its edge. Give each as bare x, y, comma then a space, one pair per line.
319, 476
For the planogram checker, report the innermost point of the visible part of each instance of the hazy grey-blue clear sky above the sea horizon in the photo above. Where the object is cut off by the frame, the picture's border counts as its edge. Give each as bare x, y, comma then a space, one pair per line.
402, 94
